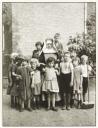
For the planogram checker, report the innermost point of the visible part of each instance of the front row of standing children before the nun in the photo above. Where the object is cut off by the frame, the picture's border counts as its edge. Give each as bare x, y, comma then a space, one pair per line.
32, 80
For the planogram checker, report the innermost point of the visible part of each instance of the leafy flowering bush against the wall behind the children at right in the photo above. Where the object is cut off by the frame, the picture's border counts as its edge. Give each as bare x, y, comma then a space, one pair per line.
85, 43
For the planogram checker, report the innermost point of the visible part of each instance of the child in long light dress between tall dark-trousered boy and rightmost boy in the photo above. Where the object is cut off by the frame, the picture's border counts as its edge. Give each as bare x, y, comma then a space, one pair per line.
77, 81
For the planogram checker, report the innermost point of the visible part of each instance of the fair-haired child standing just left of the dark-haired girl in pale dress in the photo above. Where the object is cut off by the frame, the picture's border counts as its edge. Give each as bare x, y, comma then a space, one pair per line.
36, 83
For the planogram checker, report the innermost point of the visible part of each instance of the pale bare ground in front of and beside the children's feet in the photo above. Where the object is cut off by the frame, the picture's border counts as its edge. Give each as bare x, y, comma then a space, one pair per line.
74, 117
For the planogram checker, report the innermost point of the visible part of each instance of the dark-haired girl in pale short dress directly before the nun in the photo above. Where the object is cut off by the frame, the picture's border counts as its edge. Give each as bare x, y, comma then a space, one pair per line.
50, 85
